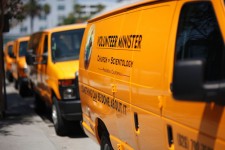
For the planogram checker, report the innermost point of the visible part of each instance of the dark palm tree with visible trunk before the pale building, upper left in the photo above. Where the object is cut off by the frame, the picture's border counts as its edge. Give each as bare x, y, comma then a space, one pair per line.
33, 9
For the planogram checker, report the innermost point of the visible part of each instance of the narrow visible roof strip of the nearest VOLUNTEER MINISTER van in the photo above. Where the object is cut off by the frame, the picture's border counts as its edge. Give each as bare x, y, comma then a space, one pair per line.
122, 9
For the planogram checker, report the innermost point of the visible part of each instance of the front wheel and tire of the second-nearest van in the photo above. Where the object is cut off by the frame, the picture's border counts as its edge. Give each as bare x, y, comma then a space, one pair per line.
58, 121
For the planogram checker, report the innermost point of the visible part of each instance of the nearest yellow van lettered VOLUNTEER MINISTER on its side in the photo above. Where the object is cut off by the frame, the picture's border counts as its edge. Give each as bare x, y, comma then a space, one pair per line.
152, 76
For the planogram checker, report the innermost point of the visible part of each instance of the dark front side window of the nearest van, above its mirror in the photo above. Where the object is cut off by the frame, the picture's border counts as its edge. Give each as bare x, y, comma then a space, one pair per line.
199, 37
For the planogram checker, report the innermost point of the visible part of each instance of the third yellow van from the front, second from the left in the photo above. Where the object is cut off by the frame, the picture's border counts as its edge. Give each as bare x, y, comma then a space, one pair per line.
19, 66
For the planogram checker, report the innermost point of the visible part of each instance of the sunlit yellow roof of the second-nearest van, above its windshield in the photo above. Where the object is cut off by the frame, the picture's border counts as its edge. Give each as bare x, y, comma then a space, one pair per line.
66, 27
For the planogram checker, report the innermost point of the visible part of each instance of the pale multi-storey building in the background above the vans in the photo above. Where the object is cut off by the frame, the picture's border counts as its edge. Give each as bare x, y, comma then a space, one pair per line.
59, 10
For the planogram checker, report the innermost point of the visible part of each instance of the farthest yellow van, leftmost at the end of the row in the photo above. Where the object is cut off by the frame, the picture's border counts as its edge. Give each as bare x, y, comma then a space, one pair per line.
8, 59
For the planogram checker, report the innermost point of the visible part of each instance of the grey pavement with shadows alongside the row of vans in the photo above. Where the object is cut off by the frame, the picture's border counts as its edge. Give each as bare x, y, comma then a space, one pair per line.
23, 129
